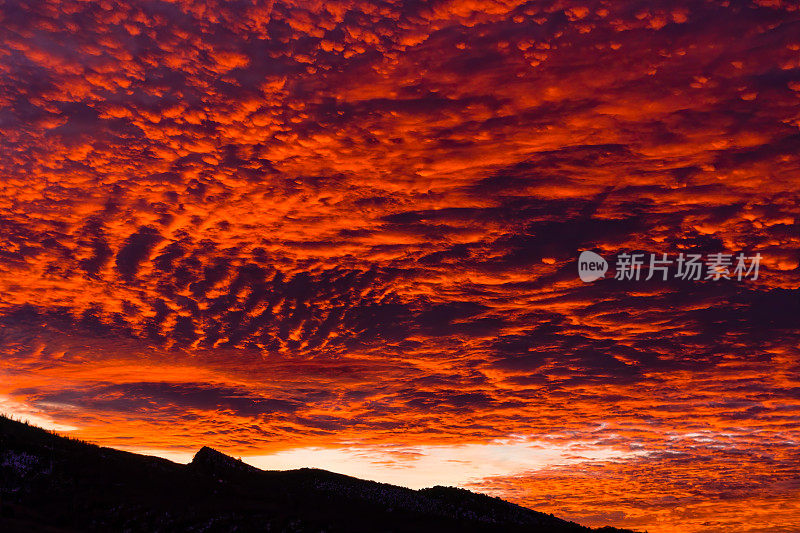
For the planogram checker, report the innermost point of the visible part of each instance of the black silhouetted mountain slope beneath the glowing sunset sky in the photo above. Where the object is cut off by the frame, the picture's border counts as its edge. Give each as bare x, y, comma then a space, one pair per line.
52, 483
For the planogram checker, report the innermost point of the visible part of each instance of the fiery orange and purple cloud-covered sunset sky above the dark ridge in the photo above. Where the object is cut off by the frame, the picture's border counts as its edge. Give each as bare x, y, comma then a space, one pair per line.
345, 234
